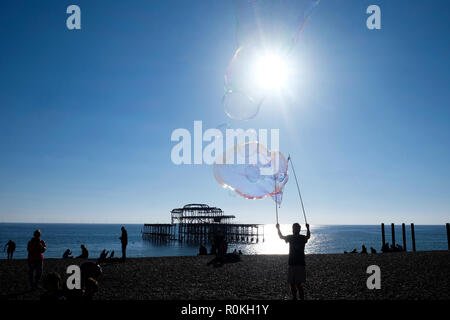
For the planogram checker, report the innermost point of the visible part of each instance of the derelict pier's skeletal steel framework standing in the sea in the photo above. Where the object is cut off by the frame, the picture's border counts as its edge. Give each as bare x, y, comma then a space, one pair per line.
199, 223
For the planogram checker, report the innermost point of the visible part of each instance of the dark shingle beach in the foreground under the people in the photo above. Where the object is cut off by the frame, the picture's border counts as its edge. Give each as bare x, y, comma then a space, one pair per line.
404, 275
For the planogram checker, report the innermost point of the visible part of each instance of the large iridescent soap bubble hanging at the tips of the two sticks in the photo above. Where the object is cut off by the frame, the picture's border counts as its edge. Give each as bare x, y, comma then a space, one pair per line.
252, 171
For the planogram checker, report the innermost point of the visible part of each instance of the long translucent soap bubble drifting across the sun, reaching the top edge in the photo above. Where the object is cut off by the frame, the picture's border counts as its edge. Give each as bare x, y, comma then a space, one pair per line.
266, 32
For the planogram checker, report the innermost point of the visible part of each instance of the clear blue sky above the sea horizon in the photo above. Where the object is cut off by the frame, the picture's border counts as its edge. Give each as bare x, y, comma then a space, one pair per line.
86, 116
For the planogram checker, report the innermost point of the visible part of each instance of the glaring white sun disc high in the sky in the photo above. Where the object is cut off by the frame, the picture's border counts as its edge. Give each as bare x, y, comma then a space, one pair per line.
271, 71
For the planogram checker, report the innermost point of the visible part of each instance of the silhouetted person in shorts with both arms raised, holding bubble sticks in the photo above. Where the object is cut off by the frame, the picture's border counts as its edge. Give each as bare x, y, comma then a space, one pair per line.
296, 269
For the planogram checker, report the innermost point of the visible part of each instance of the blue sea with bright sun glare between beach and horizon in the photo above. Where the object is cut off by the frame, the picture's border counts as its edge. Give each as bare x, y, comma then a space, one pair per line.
324, 239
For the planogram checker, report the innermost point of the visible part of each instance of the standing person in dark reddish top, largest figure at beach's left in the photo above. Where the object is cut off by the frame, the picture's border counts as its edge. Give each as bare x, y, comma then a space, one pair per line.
36, 248
